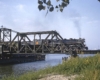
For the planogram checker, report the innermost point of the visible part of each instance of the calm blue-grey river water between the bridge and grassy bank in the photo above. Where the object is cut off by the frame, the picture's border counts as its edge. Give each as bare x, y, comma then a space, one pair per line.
17, 69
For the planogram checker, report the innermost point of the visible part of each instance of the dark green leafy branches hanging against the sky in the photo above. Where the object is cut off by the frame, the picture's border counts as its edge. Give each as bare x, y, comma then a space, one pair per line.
50, 7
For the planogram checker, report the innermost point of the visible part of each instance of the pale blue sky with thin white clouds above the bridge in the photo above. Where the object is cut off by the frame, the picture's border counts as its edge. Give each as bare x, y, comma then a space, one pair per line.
81, 18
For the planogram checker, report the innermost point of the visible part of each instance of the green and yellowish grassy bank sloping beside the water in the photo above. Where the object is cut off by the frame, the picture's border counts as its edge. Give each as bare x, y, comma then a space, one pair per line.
88, 69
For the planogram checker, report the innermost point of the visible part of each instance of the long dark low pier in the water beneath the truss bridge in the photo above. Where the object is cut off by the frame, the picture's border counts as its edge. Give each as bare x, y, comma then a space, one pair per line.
20, 58
